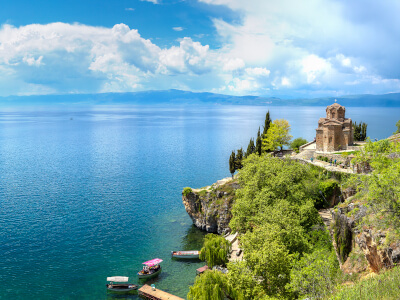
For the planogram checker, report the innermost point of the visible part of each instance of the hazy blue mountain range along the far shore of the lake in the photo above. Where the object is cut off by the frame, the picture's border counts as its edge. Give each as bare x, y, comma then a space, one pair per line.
184, 97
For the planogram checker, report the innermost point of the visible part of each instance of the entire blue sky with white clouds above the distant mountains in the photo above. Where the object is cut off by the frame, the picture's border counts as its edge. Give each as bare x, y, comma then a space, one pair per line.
285, 48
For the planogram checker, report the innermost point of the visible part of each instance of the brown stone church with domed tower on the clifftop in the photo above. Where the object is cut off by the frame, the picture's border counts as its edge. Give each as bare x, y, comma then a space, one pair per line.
335, 132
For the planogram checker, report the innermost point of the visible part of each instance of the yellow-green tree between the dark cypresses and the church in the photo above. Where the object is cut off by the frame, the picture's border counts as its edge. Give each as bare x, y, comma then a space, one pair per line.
277, 135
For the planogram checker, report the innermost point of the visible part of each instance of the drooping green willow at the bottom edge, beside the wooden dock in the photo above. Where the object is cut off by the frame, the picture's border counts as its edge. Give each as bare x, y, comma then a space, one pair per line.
213, 285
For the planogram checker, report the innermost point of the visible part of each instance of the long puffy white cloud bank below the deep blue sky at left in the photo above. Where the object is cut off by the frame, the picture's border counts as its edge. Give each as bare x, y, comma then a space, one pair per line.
60, 58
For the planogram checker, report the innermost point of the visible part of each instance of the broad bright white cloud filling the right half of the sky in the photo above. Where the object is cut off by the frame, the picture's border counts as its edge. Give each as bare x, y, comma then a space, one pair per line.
321, 45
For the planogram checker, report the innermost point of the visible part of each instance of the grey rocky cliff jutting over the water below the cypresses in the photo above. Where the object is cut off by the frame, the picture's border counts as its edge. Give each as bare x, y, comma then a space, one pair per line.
210, 207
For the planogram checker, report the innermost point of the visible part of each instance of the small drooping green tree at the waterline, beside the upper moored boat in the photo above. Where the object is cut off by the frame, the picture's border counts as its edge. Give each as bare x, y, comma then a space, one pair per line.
215, 250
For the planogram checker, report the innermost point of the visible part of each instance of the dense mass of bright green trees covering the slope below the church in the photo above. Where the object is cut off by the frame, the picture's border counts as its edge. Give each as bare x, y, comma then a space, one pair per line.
275, 213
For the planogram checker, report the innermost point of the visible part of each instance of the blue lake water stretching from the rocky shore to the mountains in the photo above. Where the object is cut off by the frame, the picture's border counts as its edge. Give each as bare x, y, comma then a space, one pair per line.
87, 193
